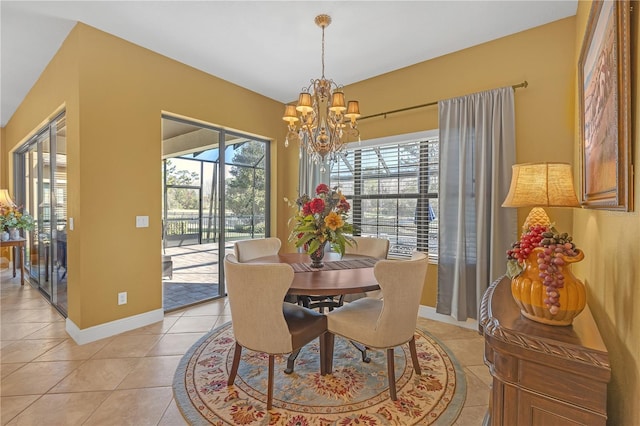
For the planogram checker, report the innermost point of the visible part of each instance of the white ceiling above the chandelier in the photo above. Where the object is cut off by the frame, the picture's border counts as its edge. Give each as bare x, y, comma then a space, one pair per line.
270, 47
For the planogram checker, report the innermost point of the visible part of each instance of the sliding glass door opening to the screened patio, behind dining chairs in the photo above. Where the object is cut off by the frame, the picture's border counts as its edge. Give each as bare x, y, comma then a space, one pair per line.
215, 193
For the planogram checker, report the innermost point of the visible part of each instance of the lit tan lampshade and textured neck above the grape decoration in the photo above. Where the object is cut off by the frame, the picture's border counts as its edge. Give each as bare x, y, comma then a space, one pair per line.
540, 185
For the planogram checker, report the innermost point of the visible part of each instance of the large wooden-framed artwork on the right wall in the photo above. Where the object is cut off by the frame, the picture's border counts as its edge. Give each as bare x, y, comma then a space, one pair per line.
605, 108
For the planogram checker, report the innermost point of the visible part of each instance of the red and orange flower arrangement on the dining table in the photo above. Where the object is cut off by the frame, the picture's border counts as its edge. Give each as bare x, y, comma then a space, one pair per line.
321, 220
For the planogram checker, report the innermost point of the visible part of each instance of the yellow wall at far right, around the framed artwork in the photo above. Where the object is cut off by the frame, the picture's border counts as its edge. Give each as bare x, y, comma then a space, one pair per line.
611, 271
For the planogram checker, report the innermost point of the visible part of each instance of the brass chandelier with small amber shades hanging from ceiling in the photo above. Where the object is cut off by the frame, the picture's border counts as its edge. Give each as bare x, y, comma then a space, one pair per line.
321, 121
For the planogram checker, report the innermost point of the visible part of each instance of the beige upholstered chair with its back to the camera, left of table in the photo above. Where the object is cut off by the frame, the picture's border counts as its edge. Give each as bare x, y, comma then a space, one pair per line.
261, 321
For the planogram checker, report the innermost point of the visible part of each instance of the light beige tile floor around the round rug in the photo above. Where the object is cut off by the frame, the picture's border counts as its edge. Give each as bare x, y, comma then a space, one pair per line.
47, 379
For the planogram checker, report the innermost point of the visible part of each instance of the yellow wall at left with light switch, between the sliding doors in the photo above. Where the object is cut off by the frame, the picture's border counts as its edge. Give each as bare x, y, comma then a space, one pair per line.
114, 94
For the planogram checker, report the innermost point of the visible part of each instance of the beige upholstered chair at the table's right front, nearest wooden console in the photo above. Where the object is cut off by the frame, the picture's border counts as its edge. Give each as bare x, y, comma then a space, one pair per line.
384, 323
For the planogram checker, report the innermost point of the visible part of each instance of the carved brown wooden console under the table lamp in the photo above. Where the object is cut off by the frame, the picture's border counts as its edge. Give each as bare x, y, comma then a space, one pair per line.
542, 374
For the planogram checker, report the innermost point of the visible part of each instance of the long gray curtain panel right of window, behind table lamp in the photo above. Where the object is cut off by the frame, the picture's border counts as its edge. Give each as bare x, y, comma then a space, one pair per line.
477, 150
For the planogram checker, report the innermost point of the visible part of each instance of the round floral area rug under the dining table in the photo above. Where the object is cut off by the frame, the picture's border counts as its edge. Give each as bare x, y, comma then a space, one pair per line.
356, 393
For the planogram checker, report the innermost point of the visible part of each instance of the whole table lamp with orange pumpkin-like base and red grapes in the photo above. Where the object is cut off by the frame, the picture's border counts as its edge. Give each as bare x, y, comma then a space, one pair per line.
539, 263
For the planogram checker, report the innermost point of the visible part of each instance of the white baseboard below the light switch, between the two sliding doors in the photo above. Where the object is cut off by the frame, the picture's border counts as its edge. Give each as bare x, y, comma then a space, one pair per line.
91, 334
